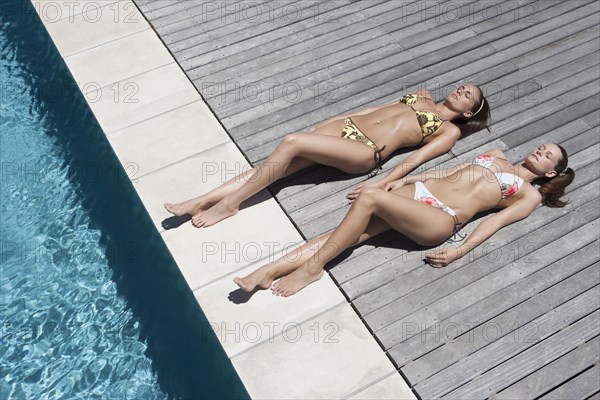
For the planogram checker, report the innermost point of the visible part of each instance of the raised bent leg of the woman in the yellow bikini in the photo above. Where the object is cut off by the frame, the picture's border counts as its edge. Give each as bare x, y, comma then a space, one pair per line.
347, 155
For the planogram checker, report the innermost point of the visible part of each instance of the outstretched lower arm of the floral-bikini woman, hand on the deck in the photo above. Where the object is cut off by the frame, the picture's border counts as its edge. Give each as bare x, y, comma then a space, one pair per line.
515, 212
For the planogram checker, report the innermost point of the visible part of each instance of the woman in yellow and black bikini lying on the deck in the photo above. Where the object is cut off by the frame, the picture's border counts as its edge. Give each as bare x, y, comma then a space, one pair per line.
374, 134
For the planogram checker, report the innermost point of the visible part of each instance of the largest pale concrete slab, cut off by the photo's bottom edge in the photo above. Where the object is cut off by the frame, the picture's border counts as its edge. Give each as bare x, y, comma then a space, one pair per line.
335, 345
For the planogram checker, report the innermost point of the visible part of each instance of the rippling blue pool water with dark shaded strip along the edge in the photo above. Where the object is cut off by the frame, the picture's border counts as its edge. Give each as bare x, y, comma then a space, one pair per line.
92, 304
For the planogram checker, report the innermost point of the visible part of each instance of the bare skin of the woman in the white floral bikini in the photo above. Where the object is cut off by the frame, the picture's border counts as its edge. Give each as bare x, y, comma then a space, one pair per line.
466, 188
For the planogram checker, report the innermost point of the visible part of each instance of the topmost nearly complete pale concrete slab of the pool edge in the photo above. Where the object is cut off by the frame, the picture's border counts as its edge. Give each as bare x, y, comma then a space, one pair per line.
81, 32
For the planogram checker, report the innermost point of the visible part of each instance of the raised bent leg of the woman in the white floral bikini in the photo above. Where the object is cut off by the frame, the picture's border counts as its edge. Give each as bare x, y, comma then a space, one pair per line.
419, 222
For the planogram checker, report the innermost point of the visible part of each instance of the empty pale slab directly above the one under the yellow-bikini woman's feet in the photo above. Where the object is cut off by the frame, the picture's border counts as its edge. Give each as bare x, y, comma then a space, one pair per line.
168, 137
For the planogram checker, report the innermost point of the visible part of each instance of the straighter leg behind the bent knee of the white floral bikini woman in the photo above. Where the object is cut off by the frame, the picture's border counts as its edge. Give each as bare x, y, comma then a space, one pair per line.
264, 276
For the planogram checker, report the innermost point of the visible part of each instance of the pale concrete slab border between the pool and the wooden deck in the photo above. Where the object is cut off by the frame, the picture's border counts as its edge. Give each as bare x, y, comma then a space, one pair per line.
149, 110
